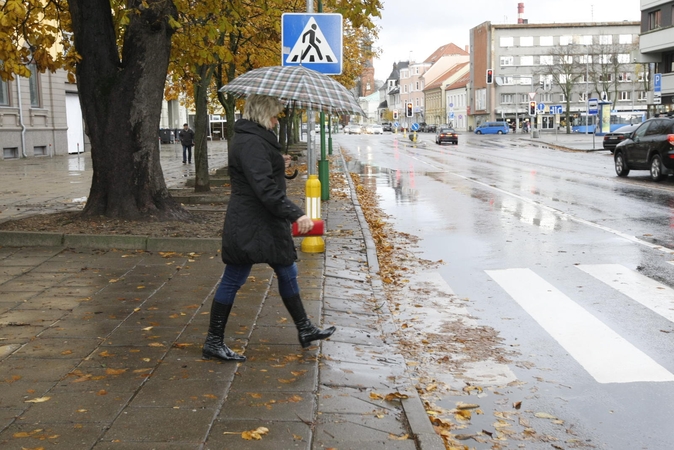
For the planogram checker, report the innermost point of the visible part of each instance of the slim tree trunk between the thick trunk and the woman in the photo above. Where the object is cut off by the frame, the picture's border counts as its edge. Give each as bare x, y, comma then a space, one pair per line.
202, 182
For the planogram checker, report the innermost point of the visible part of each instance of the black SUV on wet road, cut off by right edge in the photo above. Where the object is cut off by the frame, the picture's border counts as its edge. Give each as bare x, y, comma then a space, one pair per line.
649, 147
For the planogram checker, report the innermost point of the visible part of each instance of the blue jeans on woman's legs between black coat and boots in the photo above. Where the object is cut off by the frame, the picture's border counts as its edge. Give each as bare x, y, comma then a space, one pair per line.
236, 275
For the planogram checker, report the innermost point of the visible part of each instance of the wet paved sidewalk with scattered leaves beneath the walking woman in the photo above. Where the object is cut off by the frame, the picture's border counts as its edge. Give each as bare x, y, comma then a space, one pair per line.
100, 349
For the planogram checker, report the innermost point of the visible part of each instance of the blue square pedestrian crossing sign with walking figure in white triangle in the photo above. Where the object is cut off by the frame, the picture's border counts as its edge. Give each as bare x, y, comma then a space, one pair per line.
313, 41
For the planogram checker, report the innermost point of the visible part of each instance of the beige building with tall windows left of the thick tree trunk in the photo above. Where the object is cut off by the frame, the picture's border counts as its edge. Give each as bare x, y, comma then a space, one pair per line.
40, 116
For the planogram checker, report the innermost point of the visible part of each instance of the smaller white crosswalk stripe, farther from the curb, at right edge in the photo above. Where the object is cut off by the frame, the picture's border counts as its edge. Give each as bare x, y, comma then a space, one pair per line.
653, 295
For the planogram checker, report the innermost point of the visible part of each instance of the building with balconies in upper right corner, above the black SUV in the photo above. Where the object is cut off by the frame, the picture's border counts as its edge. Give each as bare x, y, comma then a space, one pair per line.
656, 43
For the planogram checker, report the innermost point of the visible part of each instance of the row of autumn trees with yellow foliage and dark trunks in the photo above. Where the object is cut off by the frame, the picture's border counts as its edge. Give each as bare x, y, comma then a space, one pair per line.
119, 52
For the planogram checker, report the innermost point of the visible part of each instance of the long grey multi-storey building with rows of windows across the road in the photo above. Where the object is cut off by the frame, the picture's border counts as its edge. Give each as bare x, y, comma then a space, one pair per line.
525, 60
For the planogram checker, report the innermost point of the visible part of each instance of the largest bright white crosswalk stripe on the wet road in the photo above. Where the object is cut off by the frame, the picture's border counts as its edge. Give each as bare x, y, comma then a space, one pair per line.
603, 353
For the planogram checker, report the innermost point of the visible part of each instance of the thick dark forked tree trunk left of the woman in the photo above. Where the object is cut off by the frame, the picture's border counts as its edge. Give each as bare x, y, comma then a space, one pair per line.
121, 105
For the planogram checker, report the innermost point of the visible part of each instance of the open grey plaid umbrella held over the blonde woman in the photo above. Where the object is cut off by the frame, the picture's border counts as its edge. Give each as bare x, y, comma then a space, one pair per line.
307, 88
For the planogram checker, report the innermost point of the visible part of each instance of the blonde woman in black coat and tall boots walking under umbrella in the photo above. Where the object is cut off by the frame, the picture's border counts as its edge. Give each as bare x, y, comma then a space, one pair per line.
257, 225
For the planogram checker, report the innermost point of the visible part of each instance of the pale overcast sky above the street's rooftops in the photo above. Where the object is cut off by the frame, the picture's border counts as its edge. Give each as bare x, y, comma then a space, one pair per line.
414, 29
